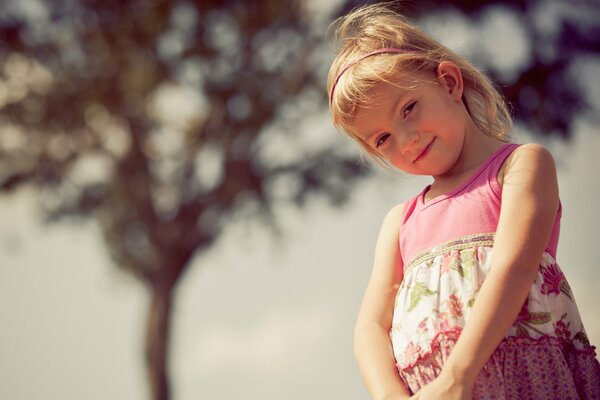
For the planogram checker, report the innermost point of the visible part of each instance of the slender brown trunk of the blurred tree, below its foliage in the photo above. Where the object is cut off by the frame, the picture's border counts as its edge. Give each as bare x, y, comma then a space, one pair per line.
157, 342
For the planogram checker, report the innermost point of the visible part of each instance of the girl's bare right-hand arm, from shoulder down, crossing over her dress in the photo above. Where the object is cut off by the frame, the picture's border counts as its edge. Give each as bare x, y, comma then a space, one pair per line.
529, 206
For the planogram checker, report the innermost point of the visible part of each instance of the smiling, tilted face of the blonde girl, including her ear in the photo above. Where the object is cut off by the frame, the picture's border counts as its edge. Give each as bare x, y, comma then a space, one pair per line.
418, 122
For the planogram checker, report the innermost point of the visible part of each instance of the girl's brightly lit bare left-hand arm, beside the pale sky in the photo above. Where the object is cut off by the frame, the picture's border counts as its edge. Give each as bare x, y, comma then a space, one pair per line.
372, 346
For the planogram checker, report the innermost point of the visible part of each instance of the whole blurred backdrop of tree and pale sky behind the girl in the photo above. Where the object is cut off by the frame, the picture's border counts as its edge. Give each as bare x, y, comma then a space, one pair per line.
179, 219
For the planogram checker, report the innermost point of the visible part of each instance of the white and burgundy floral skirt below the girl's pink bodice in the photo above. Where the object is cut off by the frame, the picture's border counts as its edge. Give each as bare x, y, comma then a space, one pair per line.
544, 355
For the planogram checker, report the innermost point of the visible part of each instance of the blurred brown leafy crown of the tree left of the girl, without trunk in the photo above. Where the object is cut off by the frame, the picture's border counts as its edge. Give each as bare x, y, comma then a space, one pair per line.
88, 78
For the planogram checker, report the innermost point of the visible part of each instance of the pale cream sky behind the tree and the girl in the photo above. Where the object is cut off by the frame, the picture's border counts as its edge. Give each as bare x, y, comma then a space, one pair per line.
258, 316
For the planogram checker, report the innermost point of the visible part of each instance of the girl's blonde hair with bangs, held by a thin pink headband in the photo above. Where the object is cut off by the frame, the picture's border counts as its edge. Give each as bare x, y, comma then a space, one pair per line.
369, 29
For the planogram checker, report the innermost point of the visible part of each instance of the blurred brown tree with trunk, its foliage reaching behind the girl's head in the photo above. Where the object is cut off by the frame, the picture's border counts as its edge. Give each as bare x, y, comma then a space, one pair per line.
165, 119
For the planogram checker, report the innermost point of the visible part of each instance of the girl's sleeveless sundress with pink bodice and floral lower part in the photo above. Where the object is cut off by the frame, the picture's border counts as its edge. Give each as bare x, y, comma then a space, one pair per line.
447, 244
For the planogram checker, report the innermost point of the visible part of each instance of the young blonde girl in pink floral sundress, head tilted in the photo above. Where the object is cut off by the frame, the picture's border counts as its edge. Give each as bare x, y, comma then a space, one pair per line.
465, 299
